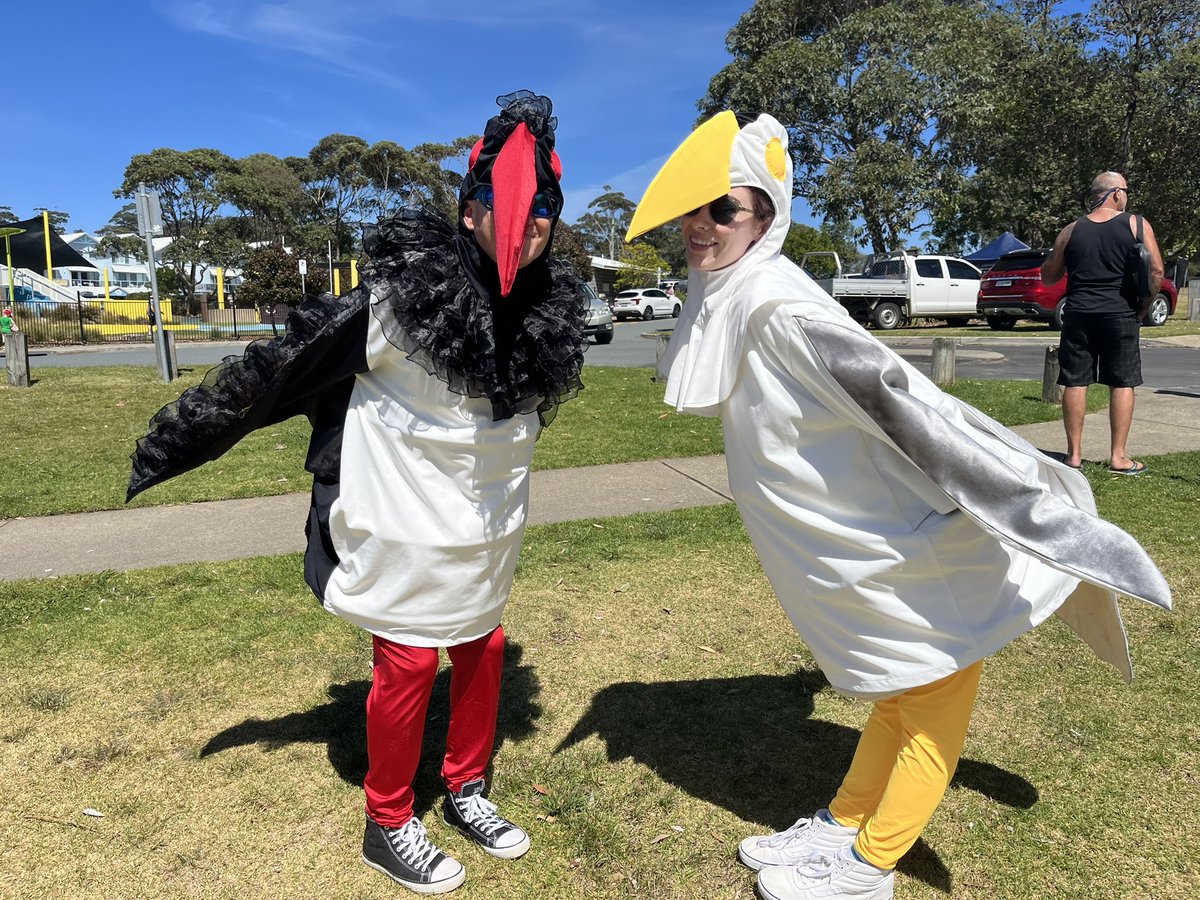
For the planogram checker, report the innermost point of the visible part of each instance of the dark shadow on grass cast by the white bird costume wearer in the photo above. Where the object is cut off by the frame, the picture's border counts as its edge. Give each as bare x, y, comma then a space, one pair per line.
751, 746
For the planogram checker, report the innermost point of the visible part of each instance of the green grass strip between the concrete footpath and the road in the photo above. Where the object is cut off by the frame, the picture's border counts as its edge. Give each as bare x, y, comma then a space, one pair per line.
67, 441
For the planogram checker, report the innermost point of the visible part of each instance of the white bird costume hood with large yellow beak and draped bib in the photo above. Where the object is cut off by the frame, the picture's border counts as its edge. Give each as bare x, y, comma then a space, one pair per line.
722, 155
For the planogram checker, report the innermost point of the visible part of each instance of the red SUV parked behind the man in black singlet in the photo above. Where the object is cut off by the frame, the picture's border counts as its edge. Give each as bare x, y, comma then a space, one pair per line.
1012, 290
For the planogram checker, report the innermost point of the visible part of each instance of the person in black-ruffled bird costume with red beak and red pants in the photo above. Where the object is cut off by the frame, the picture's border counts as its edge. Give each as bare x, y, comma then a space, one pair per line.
427, 388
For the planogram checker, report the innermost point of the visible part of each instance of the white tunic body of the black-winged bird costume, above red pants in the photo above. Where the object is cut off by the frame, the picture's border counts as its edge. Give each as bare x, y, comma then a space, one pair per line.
429, 529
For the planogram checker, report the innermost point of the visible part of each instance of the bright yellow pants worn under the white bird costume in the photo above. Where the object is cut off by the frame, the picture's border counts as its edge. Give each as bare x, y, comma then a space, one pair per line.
904, 764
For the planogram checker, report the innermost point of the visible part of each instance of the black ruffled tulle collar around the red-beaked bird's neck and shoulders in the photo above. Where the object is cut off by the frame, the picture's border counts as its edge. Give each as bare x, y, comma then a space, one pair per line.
439, 299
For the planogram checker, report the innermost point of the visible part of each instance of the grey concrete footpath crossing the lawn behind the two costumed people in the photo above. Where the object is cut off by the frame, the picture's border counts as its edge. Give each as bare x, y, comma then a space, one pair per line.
1165, 422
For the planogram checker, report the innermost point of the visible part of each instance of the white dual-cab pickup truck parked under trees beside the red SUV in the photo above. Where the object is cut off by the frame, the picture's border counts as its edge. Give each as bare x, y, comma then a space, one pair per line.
897, 289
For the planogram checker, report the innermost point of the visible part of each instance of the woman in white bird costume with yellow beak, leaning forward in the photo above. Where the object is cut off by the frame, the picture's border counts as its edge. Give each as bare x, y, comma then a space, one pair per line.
908, 536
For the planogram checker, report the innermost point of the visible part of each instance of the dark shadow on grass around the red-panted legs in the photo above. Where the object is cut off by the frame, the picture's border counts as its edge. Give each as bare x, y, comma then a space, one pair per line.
341, 725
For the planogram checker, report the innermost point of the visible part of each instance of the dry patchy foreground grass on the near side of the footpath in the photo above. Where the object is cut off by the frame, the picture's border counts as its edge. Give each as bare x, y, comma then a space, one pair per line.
199, 731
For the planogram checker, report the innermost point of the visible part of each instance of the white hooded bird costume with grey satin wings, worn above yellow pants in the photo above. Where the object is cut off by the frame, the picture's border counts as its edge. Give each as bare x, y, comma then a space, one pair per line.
905, 533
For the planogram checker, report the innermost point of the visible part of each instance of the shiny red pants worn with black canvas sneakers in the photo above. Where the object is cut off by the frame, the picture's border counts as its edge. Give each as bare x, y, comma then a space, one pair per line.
397, 706
